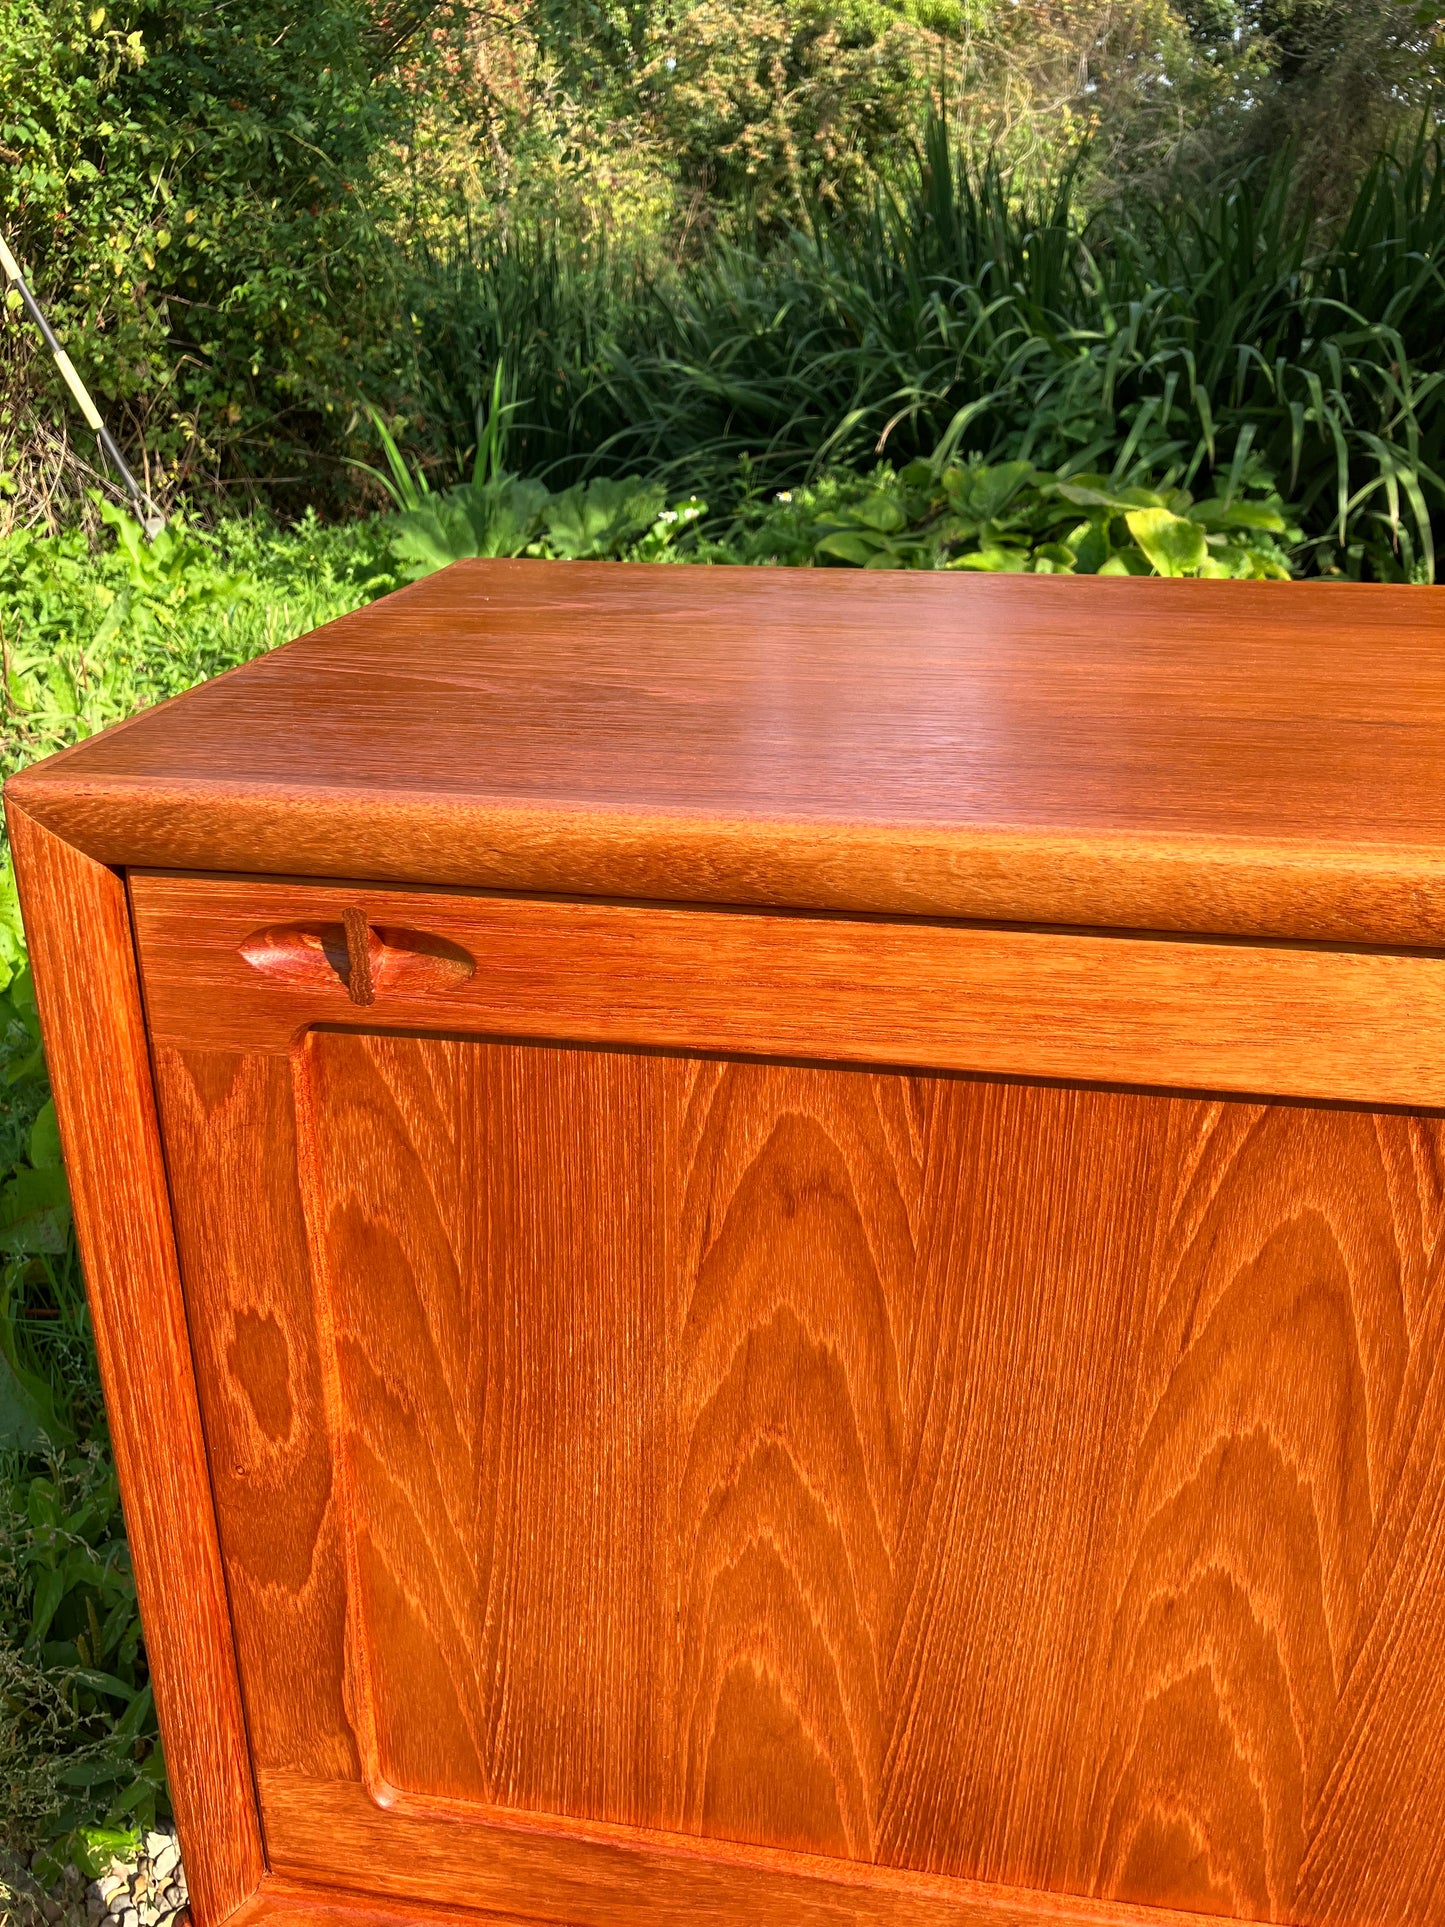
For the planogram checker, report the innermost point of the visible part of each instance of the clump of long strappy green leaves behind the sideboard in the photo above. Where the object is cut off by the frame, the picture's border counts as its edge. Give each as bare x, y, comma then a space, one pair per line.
1172, 340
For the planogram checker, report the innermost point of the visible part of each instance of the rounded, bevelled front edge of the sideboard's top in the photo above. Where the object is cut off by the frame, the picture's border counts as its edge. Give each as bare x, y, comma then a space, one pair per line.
1228, 887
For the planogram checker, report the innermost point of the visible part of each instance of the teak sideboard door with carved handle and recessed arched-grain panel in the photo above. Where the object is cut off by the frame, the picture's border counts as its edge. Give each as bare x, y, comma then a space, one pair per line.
677, 1464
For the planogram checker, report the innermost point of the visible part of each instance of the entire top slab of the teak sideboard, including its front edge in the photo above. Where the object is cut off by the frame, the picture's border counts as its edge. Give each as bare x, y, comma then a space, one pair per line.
1238, 758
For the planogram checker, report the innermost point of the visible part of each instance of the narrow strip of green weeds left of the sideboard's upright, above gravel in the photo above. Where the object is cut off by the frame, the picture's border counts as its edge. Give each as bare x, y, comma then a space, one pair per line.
80, 1758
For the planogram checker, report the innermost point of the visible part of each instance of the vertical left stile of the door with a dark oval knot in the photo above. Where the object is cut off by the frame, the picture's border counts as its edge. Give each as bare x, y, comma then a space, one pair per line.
232, 1151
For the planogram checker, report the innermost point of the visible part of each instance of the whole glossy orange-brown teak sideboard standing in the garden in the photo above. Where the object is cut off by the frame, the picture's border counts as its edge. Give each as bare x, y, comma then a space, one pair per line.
770, 1248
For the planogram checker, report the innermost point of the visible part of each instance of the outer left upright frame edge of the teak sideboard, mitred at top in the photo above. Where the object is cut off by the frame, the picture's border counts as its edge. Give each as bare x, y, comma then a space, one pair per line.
86, 986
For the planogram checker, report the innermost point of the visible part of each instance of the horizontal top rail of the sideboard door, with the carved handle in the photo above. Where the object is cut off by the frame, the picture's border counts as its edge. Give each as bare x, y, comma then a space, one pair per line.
957, 997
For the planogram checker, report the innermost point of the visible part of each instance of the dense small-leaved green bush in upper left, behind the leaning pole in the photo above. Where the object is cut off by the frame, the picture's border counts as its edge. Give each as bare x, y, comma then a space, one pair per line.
199, 196
